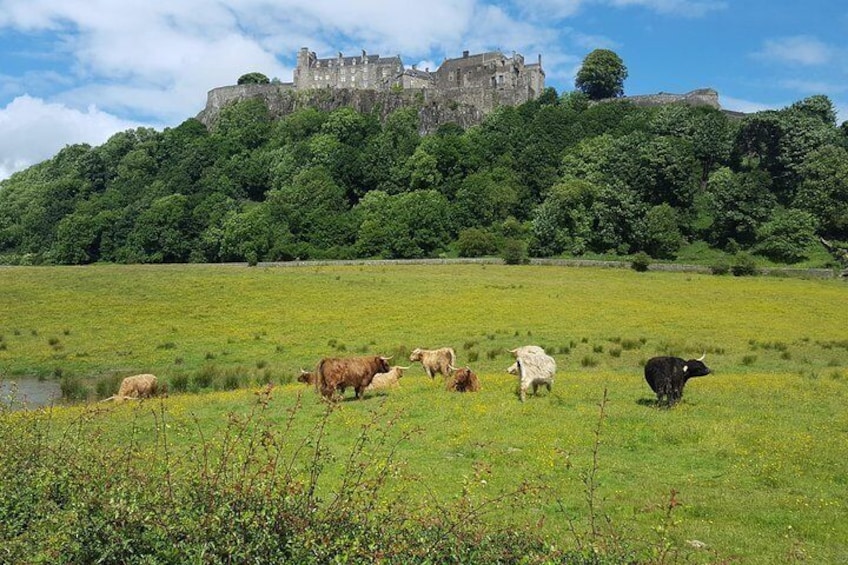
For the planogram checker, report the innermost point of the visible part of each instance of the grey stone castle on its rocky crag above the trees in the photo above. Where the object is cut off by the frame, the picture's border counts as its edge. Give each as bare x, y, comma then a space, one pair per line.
461, 90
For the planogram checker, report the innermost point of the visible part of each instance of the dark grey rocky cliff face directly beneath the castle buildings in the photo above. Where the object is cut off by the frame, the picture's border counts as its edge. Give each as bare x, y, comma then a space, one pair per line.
283, 99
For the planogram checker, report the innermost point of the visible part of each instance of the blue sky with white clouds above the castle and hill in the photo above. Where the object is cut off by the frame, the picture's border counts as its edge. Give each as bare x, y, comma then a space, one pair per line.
75, 71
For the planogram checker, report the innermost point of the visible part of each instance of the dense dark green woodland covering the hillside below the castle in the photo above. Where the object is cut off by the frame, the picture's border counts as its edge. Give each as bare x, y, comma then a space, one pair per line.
558, 176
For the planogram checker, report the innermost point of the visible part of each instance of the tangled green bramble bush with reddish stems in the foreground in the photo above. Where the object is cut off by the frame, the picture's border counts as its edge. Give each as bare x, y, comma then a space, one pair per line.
252, 495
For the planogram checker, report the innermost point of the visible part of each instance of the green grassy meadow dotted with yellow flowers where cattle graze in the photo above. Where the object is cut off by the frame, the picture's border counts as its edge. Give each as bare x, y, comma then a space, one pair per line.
749, 468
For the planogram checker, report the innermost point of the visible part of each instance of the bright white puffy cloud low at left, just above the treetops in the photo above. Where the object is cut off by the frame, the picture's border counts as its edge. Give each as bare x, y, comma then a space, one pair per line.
34, 130
